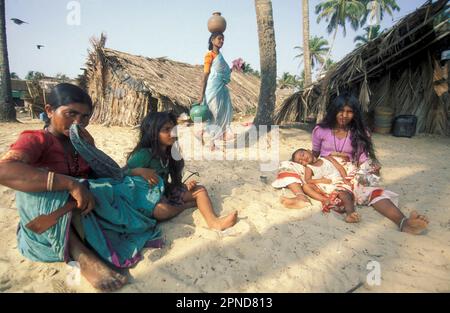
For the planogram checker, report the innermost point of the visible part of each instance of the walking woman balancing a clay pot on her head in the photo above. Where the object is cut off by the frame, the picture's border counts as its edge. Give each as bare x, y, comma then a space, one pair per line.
214, 92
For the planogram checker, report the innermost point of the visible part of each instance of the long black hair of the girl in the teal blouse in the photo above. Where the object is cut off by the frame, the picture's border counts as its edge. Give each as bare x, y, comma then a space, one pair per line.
149, 139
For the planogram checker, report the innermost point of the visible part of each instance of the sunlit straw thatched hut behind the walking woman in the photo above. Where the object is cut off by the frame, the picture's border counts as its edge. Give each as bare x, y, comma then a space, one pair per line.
125, 87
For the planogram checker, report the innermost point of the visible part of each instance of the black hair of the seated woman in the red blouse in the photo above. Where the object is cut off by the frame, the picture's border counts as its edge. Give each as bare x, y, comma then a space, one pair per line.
65, 94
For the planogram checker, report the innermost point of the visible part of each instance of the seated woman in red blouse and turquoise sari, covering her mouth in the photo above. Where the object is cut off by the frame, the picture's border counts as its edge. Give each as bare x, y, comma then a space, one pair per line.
112, 219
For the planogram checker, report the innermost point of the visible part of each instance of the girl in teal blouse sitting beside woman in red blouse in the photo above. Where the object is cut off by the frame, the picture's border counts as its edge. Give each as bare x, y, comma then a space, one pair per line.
156, 155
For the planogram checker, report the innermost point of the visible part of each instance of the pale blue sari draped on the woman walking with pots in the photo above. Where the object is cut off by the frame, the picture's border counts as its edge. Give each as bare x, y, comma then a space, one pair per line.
217, 97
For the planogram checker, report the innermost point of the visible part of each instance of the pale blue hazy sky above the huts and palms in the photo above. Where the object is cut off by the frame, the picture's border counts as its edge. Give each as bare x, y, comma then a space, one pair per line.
159, 28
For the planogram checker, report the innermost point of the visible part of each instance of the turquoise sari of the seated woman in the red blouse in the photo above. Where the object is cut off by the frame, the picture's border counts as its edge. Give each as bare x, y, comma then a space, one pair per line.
119, 227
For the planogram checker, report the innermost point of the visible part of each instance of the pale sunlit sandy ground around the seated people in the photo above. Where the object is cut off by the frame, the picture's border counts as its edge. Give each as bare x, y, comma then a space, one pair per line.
271, 249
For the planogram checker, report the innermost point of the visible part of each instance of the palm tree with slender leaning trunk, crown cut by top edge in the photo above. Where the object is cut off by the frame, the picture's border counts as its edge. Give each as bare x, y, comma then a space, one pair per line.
338, 13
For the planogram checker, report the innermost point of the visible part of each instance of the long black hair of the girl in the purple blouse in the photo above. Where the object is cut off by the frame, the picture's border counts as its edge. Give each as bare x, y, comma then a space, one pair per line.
360, 138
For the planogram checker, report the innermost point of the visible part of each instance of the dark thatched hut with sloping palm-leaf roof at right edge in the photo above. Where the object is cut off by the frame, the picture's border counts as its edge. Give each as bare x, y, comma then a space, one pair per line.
401, 69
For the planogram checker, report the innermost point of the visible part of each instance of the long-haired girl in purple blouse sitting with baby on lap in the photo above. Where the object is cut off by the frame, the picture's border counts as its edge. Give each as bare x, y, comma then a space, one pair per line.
342, 133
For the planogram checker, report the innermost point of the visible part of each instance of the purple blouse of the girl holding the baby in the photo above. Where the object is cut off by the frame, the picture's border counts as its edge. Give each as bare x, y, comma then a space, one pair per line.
324, 141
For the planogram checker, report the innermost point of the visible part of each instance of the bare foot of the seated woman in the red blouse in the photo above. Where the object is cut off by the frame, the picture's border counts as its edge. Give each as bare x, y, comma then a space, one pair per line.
99, 275
